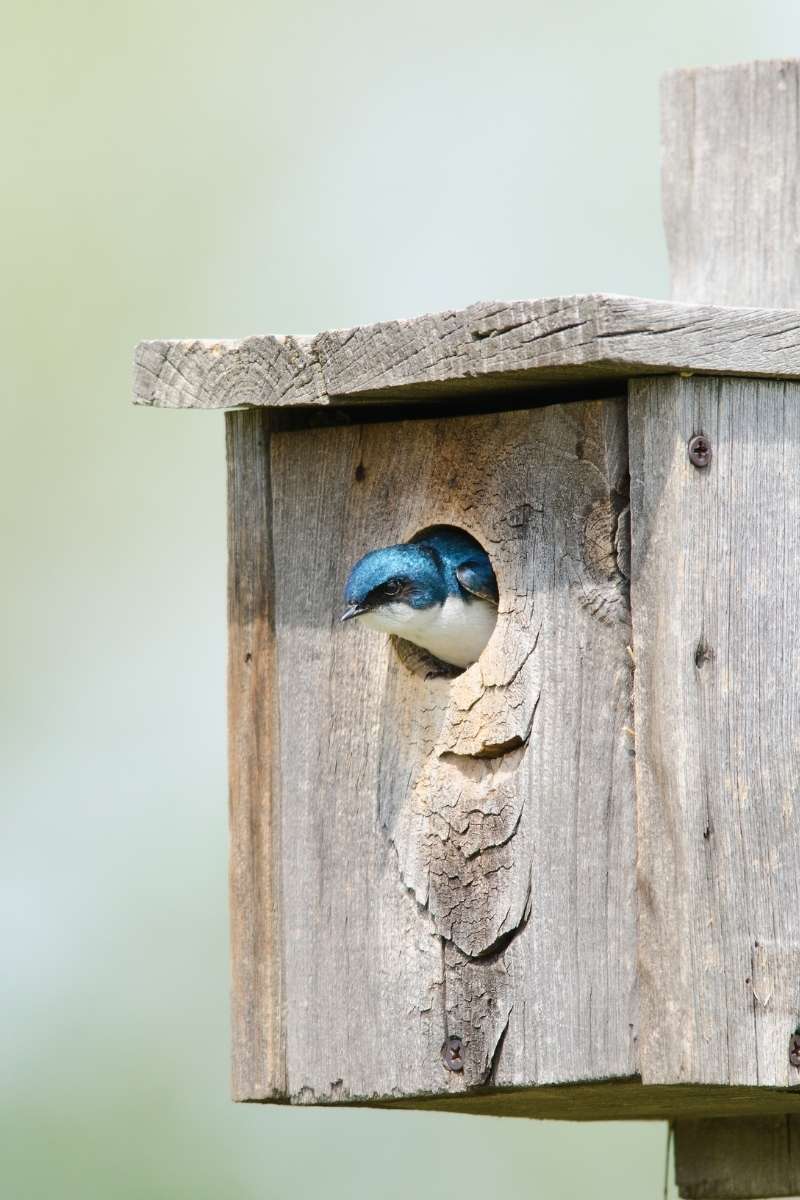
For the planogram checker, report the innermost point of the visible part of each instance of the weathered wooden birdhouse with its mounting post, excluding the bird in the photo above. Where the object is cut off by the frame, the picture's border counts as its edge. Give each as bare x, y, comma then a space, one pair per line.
563, 881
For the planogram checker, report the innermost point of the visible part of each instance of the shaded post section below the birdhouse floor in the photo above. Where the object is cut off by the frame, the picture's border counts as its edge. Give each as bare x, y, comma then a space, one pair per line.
736, 1160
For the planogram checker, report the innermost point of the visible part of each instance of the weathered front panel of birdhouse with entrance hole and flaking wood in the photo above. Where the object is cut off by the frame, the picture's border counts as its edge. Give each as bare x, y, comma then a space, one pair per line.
459, 856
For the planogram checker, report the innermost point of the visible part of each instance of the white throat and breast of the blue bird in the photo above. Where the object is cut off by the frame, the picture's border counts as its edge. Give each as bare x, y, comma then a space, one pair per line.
456, 632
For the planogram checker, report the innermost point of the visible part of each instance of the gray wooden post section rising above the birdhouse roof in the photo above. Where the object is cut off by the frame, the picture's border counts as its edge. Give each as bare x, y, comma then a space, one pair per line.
730, 178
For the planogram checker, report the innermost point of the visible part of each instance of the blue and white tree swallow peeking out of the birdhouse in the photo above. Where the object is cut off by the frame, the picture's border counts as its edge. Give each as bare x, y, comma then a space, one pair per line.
437, 591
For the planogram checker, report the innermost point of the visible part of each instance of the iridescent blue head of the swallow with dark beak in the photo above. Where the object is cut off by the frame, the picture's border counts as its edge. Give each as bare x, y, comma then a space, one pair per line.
405, 574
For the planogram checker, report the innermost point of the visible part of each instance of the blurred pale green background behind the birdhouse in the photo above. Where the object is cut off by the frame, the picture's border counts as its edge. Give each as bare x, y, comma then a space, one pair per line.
196, 170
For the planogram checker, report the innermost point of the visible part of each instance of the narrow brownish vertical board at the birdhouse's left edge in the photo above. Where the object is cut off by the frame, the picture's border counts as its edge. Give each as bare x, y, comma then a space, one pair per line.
257, 1017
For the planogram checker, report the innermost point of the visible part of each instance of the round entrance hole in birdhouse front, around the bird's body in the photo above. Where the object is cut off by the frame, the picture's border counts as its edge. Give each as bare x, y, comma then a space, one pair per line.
460, 628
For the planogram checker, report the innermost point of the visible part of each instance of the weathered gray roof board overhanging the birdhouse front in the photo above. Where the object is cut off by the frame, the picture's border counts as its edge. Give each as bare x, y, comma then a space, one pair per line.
488, 347
